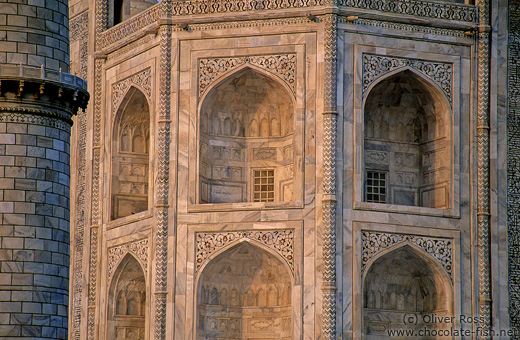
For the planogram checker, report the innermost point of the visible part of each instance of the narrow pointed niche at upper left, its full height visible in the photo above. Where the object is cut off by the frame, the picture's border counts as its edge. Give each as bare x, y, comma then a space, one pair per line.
130, 155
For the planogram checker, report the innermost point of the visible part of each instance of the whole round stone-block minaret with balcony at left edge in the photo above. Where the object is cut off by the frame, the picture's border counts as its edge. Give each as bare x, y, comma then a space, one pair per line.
37, 101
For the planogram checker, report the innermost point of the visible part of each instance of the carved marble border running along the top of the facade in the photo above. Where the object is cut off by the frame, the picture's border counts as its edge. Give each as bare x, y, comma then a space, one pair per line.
427, 9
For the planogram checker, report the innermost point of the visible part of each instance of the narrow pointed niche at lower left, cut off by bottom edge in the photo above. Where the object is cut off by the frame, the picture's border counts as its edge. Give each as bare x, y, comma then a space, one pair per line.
127, 301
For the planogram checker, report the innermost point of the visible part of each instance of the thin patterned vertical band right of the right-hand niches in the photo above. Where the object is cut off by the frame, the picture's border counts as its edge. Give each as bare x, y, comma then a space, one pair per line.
483, 209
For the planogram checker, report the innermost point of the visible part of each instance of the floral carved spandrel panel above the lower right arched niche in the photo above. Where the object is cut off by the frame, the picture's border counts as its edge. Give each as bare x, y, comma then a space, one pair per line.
439, 248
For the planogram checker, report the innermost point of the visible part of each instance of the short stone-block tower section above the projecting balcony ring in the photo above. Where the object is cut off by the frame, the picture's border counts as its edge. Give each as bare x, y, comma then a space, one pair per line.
35, 33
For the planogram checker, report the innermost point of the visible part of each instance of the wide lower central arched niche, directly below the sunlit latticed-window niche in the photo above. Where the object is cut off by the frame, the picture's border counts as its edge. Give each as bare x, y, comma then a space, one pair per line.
244, 293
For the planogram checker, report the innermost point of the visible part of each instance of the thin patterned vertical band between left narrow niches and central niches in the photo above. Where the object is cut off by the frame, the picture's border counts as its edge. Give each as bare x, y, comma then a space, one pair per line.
162, 185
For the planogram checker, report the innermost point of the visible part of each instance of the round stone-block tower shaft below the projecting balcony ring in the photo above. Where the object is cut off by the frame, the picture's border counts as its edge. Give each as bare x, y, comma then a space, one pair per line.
34, 228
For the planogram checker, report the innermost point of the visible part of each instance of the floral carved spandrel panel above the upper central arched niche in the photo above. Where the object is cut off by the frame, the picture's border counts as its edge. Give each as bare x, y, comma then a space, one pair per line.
283, 65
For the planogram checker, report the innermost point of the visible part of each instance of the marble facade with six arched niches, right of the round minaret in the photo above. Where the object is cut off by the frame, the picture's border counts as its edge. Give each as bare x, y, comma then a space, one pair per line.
209, 182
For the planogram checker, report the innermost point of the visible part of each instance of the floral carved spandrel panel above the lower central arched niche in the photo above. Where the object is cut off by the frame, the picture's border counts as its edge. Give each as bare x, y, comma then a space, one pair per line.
280, 241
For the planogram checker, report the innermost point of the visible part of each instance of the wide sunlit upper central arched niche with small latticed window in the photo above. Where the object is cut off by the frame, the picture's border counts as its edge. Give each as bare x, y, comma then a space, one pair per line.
247, 140
